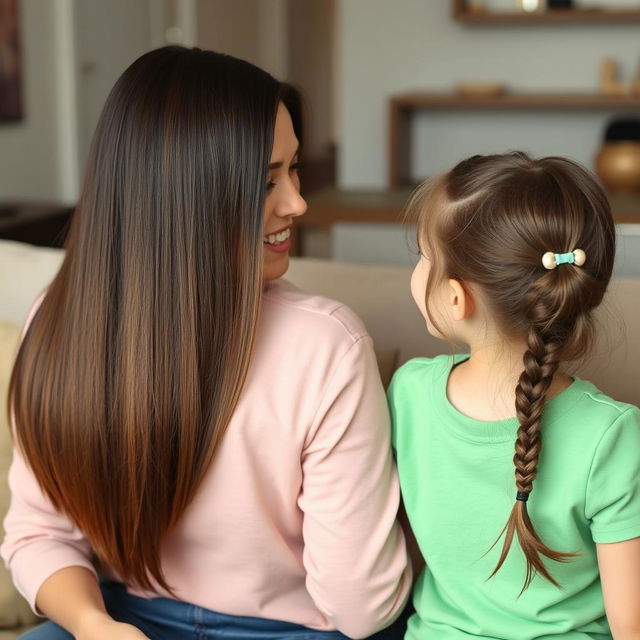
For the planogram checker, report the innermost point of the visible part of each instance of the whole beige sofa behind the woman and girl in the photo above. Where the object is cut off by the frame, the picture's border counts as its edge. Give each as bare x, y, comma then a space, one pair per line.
379, 294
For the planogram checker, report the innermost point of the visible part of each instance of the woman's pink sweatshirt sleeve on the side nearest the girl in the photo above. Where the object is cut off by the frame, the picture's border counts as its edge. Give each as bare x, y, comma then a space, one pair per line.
355, 556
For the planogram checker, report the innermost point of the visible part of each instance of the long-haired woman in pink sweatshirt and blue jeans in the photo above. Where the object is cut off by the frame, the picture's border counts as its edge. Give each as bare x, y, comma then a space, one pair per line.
217, 439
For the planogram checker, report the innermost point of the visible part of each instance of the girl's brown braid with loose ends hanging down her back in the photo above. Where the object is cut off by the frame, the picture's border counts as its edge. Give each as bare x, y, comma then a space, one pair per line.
541, 361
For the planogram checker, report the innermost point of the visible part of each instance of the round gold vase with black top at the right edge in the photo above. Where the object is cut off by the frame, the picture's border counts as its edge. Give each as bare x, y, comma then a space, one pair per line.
618, 161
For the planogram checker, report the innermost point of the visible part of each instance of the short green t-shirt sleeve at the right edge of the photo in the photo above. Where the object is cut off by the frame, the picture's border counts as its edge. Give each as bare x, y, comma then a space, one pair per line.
613, 489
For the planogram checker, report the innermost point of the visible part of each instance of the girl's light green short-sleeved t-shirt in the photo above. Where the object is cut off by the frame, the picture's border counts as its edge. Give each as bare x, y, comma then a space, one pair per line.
458, 487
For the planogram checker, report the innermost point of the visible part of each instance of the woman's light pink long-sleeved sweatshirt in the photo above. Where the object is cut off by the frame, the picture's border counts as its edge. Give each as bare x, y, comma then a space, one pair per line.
296, 518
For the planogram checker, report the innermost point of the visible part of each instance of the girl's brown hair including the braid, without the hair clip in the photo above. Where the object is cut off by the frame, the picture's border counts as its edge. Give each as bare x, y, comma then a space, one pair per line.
488, 222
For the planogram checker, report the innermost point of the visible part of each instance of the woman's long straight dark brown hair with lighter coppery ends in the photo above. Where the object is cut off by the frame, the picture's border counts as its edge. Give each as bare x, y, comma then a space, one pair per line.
132, 366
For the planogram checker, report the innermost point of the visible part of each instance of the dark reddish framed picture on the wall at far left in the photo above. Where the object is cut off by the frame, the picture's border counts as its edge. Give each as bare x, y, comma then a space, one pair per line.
10, 76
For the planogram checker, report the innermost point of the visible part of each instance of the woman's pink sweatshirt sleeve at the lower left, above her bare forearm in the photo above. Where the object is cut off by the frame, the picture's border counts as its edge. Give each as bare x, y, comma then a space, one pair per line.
38, 539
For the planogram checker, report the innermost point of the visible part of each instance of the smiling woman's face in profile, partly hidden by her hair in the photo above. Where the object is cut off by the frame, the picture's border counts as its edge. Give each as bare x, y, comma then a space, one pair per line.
283, 200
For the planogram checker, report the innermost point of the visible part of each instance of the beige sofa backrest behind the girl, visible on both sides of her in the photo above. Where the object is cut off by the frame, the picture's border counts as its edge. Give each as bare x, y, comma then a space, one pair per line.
380, 295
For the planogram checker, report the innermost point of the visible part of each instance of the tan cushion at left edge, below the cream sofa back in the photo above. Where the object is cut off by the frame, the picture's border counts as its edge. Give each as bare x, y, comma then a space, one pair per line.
14, 611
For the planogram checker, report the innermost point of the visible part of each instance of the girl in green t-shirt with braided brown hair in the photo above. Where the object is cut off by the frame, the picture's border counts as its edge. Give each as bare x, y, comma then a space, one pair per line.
516, 254
